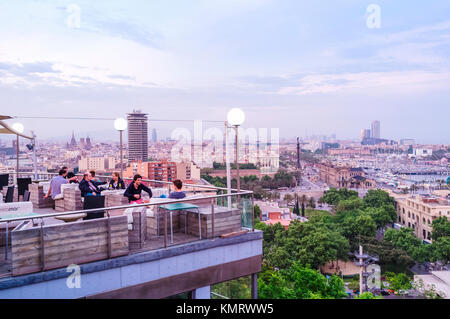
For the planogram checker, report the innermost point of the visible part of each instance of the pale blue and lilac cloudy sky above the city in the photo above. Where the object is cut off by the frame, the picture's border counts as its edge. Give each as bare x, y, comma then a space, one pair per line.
277, 61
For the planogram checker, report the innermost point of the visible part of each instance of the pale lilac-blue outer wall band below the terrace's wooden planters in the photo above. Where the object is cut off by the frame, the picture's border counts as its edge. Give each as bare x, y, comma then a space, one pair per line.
119, 273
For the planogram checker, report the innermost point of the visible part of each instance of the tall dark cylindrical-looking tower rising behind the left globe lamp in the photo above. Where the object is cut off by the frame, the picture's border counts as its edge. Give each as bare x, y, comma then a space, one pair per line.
137, 136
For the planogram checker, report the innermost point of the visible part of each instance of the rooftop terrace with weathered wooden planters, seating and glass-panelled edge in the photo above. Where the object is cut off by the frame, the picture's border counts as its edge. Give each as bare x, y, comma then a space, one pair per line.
38, 247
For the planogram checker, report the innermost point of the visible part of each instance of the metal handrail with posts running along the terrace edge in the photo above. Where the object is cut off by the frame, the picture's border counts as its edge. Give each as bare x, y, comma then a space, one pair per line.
247, 222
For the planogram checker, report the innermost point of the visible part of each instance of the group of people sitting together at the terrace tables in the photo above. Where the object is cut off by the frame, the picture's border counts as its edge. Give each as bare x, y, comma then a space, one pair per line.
90, 186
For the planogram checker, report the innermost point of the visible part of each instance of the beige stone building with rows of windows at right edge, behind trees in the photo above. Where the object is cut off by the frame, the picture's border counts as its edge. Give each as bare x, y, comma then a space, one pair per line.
418, 212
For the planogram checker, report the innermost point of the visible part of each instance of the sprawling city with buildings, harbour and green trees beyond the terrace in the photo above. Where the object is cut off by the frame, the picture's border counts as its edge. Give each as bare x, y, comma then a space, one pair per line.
376, 194
